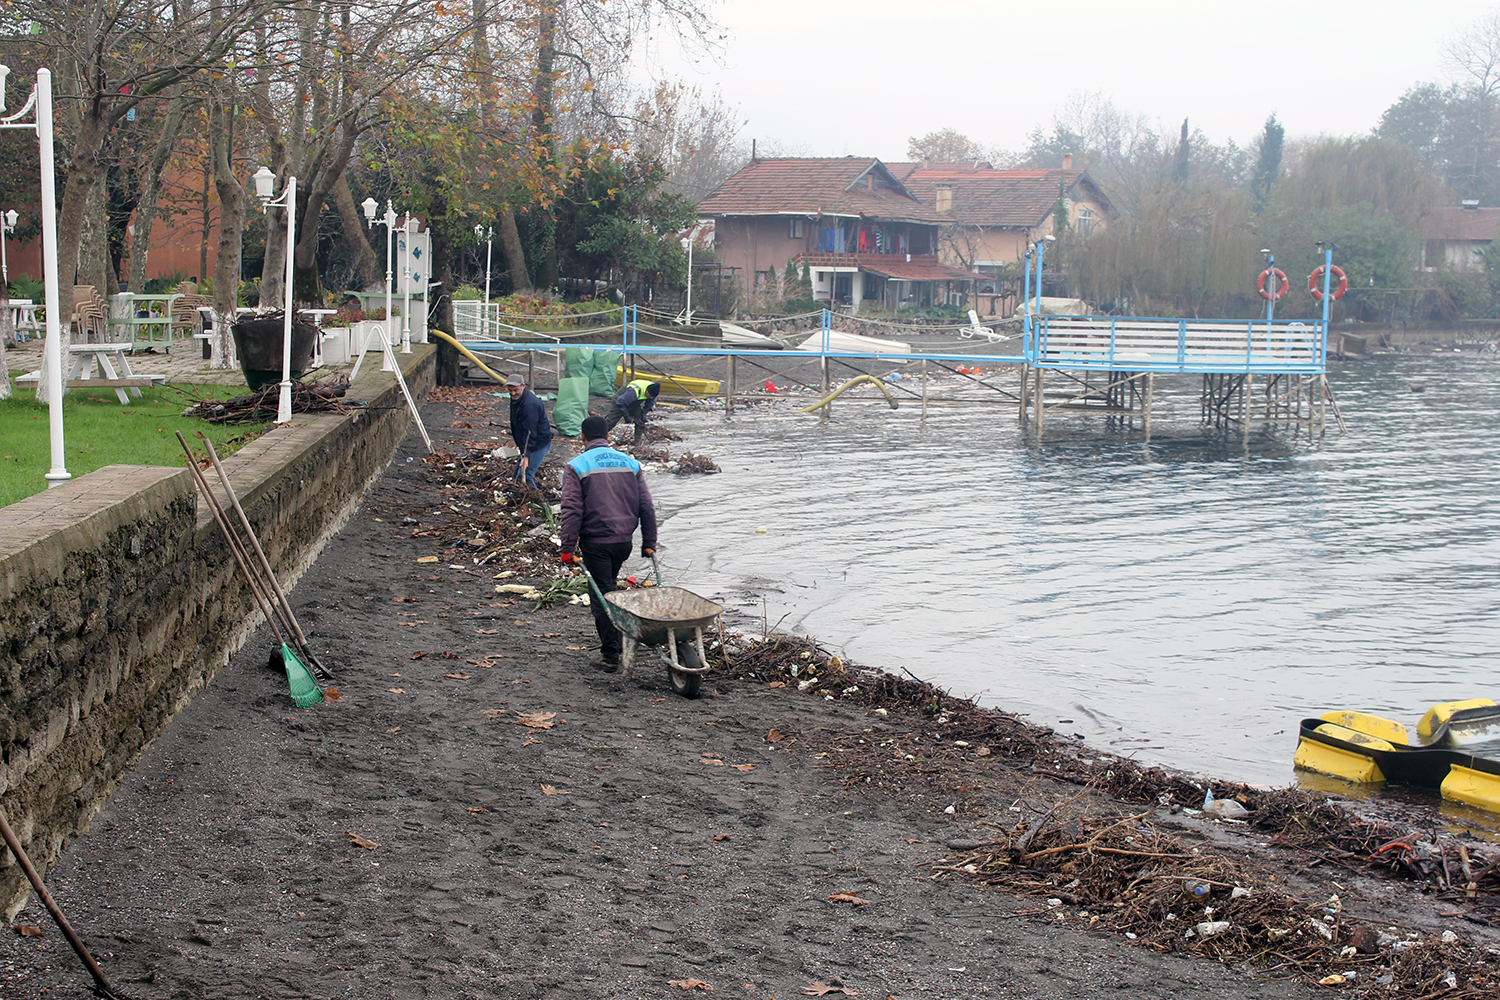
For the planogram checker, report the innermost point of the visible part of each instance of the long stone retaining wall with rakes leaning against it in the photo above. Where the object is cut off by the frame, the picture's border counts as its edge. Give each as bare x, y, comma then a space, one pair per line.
119, 602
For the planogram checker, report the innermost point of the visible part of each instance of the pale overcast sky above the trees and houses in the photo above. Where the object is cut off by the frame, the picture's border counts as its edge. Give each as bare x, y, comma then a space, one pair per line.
860, 77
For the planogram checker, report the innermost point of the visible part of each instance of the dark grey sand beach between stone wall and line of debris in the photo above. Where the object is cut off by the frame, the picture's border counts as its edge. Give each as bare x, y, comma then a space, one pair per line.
416, 840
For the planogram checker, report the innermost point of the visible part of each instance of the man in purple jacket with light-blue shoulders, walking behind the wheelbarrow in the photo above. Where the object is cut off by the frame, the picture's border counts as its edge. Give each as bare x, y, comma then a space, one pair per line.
604, 499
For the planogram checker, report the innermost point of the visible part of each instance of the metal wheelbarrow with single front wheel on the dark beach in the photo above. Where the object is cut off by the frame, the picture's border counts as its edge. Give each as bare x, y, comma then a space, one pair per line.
665, 618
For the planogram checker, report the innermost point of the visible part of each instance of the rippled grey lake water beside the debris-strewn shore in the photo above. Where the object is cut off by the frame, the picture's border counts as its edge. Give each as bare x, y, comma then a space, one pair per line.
1186, 603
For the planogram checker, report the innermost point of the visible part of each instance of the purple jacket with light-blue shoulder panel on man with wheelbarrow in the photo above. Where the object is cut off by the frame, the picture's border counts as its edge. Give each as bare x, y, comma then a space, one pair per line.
604, 499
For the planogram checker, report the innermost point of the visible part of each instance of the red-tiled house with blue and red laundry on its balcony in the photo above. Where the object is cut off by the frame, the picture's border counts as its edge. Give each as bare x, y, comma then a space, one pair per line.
863, 236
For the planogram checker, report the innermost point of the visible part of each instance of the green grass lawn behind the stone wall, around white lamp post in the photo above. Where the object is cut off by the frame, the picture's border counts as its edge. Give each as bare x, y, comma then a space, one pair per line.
98, 431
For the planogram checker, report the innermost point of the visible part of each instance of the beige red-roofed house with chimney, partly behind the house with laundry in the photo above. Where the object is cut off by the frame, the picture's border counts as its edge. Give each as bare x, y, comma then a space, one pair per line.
994, 215
